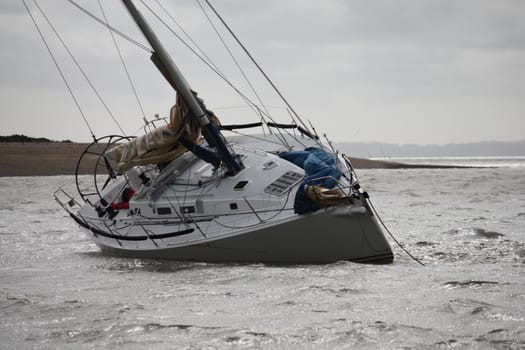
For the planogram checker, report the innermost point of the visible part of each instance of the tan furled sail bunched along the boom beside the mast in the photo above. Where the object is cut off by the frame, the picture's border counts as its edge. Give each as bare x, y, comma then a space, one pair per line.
162, 144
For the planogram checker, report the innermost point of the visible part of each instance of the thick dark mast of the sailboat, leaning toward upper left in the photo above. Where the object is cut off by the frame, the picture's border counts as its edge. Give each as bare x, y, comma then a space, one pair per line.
171, 72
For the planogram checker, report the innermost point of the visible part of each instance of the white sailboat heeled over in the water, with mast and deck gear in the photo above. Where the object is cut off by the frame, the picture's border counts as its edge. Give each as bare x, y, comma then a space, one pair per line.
185, 191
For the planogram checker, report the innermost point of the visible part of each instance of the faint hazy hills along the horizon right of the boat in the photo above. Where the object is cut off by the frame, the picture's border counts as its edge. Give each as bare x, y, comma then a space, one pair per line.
478, 149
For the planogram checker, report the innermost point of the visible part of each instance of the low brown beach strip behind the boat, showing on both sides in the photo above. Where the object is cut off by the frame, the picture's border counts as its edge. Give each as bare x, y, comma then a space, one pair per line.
60, 158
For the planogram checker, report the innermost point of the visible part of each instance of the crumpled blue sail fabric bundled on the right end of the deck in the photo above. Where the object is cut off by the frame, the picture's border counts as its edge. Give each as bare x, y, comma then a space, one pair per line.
321, 170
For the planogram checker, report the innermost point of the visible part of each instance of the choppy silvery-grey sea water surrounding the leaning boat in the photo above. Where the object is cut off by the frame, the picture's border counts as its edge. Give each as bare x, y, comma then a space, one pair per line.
467, 225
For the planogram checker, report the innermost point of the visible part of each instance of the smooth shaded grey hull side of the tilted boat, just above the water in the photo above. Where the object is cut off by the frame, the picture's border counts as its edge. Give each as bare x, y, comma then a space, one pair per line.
322, 237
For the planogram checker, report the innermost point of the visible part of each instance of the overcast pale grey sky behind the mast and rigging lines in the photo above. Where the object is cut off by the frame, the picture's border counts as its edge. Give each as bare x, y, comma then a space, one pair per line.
404, 71
